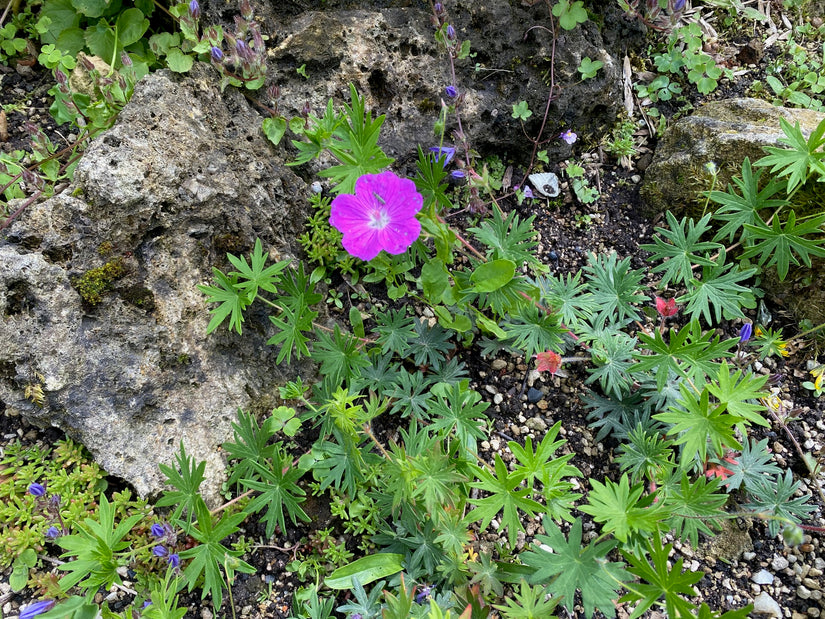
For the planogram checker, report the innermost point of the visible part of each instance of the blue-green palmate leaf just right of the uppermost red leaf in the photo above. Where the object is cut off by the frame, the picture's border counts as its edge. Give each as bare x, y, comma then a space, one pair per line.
720, 289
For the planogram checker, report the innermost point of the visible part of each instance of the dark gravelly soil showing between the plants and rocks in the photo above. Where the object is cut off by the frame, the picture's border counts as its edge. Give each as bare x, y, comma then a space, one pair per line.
568, 231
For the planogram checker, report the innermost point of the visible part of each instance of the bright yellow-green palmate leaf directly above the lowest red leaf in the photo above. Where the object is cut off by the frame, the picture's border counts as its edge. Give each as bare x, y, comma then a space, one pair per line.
697, 422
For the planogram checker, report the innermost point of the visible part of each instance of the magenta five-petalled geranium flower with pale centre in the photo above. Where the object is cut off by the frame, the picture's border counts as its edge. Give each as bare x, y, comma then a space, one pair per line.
380, 215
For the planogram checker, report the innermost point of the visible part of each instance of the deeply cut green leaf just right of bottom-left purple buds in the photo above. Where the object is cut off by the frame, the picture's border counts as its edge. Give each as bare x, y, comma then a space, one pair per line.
210, 558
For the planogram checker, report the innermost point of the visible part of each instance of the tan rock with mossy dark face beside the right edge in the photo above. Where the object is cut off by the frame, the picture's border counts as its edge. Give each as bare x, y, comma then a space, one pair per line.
723, 132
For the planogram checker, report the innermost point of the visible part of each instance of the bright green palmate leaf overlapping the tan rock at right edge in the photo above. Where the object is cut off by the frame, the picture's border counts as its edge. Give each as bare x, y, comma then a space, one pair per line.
801, 159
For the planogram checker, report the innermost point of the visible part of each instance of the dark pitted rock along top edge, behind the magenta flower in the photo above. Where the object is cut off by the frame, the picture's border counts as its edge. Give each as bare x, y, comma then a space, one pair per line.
391, 56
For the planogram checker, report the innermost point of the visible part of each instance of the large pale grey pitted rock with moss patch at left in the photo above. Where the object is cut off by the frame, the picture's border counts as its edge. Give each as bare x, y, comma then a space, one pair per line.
184, 176
